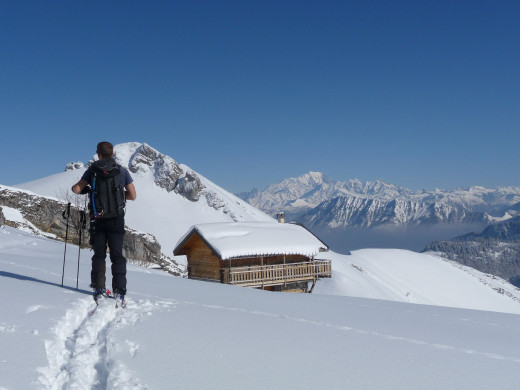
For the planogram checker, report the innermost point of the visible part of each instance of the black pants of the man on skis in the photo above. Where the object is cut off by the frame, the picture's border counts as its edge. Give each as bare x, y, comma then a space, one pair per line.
109, 231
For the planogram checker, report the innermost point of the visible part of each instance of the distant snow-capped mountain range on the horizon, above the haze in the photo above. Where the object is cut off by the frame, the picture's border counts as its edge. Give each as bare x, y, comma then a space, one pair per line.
320, 202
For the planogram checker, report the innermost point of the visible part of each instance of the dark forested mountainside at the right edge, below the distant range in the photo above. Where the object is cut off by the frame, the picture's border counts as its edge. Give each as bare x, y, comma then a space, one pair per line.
496, 250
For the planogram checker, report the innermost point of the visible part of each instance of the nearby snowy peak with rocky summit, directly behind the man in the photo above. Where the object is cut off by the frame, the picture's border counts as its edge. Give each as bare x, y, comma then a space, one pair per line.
171, 197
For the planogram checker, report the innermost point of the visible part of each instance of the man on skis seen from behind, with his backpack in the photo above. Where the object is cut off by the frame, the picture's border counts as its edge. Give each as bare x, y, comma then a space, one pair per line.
109, 185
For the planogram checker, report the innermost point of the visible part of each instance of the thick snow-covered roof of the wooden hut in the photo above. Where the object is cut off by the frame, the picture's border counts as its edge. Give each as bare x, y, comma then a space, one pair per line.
245, 239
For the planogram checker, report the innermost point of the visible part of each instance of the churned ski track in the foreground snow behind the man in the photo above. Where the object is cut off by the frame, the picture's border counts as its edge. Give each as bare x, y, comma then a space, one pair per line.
79, 355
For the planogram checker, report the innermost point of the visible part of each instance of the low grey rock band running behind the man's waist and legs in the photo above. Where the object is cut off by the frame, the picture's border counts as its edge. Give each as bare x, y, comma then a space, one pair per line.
46, 215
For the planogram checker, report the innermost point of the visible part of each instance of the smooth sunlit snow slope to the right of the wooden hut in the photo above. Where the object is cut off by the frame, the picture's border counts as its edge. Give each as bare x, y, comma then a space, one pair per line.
406, 276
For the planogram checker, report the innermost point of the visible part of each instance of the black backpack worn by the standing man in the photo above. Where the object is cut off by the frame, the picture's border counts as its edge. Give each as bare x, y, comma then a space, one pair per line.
107, 197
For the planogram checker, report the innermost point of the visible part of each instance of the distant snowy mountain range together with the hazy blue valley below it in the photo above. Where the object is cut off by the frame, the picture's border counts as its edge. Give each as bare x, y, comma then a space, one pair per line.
353, 214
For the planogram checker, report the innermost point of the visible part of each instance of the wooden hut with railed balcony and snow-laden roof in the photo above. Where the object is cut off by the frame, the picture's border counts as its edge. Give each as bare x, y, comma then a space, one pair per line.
271, 256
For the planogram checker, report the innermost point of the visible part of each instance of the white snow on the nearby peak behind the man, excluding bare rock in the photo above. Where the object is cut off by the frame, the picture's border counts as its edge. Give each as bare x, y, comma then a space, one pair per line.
166, 215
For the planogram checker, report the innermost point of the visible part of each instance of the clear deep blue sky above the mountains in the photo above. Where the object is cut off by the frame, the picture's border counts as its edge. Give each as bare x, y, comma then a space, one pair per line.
422, 94
